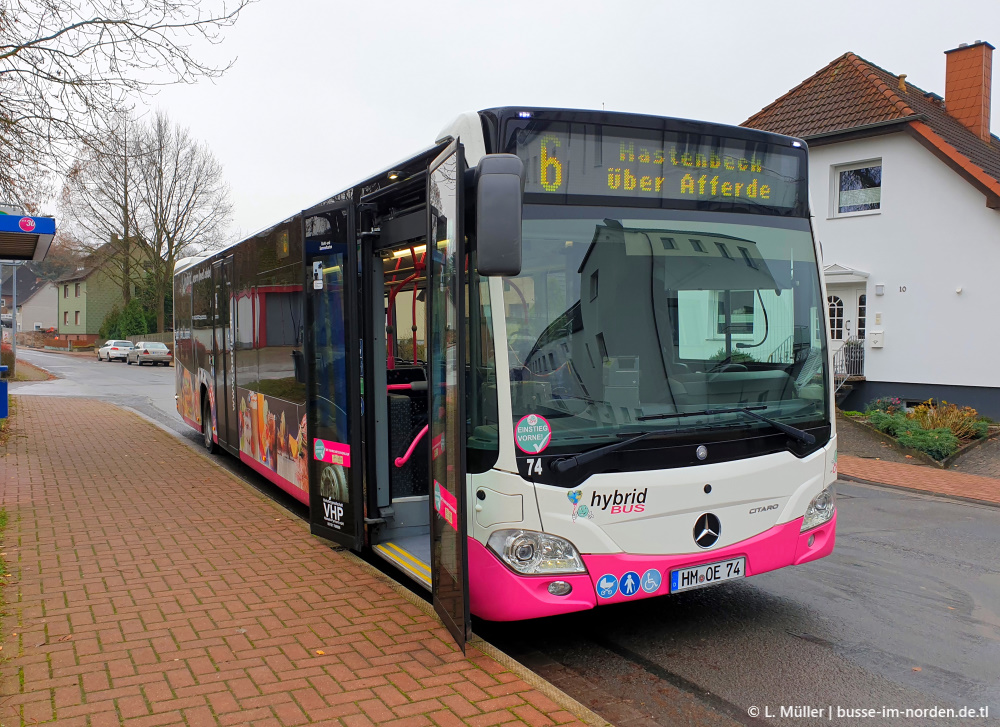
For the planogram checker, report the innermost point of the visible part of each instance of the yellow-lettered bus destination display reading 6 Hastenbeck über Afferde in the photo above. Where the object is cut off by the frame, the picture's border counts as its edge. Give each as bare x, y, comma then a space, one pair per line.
588, 160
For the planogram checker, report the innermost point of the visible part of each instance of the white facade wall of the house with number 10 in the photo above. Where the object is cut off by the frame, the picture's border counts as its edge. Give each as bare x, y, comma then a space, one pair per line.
933, 245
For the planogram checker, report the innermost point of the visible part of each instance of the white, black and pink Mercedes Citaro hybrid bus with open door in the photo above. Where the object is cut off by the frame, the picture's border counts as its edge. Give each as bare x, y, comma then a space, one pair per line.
557, 360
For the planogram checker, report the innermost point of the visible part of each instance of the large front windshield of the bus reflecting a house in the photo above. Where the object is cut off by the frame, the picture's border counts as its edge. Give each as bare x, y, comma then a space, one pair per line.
623, 316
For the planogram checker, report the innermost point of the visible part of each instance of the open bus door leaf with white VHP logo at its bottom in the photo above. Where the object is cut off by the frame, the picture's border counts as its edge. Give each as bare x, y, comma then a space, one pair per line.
332, 370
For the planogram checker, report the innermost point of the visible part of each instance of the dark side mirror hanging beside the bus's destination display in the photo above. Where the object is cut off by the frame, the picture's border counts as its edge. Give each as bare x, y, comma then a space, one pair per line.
499, 189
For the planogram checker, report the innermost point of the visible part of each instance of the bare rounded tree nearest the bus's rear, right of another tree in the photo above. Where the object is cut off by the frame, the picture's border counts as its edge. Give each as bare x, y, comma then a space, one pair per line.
184, 201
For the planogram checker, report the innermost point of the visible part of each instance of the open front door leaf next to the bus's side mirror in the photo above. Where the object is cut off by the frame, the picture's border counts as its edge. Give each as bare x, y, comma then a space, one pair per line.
446, 251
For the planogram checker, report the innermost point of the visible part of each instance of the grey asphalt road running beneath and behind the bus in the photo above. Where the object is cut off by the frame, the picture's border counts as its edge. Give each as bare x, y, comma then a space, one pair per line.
904, 614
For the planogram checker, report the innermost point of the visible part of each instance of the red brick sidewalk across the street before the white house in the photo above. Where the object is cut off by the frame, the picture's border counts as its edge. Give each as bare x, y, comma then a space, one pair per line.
925, 479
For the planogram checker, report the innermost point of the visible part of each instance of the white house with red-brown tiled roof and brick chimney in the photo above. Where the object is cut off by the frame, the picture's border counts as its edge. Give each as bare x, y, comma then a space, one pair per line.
905, 189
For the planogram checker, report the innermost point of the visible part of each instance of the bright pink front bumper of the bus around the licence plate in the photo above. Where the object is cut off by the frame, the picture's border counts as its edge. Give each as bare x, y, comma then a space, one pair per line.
498, 594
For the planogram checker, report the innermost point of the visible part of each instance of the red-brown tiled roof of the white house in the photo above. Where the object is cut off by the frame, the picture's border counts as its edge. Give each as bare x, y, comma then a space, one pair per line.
851, 93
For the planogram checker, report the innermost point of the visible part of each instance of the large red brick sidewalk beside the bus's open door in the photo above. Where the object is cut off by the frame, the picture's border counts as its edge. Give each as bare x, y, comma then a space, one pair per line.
151, 588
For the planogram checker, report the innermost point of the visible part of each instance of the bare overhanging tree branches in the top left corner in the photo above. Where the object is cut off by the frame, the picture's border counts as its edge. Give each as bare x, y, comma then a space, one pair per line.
67, 65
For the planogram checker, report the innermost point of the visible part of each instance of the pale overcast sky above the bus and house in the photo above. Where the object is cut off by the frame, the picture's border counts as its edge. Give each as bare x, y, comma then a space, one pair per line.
324, 92
